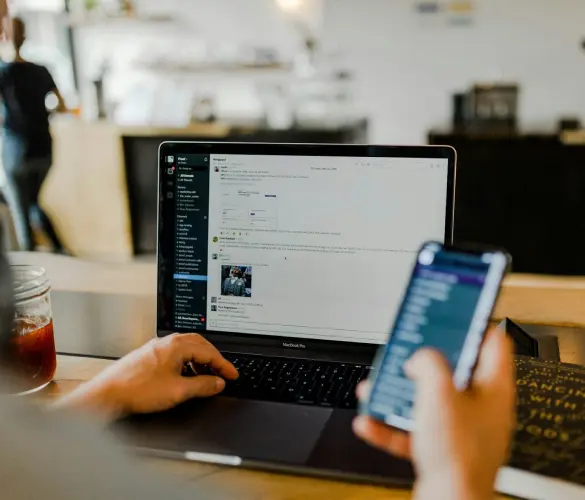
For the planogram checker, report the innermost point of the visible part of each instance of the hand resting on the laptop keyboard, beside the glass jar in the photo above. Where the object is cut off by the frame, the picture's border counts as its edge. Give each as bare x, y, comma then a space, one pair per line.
149, 379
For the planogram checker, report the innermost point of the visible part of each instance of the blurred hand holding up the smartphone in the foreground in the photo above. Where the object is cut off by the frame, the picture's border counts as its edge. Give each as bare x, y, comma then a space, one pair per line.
461, 438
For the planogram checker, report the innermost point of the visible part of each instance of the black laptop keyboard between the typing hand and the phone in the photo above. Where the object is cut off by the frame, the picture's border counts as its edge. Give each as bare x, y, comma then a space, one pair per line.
296, 380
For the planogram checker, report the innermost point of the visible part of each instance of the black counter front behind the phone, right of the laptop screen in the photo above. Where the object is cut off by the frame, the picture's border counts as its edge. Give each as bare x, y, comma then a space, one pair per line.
525, 193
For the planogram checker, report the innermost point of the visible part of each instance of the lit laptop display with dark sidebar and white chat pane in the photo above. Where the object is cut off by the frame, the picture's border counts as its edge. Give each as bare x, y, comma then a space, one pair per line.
292, 245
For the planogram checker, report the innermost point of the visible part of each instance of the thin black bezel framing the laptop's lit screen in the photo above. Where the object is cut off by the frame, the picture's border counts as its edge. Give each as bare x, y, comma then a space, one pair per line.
259, 149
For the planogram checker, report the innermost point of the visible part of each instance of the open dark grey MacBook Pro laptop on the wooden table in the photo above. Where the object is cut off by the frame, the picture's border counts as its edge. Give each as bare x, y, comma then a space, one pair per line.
291, 259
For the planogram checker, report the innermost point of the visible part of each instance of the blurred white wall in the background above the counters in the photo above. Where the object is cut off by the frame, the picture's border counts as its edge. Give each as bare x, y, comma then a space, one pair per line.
406, 68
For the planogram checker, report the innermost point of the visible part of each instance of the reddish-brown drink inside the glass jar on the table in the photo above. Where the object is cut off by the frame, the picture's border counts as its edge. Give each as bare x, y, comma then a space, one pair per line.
35, 359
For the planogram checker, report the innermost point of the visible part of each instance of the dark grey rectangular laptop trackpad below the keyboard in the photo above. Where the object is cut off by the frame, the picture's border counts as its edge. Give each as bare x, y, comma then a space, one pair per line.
258, 430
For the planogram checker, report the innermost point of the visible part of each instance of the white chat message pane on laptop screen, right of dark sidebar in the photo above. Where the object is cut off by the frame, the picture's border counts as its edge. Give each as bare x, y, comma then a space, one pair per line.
317, 247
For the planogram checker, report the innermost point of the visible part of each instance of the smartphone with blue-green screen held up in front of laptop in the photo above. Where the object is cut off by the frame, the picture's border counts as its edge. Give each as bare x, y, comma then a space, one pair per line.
447, 306
